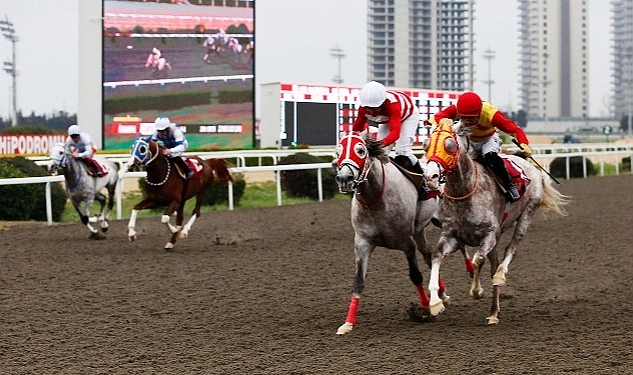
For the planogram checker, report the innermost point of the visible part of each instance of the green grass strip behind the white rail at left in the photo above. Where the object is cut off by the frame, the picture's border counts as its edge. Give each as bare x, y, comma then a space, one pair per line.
256, 195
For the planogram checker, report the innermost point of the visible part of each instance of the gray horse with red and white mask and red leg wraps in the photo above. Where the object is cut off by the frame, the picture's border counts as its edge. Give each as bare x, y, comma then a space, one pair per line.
387, 210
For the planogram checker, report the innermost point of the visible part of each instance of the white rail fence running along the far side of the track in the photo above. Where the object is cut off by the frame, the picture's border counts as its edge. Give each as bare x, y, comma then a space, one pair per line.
601, 154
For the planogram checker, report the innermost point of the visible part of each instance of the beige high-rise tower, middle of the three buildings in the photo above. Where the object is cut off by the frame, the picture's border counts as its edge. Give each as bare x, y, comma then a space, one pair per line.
554, 58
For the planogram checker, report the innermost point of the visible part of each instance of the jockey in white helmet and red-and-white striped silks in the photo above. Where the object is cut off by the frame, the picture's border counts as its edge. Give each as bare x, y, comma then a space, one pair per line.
397, 118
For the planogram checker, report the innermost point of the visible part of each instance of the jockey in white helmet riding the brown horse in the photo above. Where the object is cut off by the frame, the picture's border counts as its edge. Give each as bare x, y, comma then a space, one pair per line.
174, 142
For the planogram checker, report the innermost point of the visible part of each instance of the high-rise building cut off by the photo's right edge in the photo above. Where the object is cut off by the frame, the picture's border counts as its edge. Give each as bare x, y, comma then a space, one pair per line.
622, 58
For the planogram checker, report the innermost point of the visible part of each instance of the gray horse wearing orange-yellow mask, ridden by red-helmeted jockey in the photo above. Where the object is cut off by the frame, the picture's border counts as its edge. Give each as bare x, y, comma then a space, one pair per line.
474, 211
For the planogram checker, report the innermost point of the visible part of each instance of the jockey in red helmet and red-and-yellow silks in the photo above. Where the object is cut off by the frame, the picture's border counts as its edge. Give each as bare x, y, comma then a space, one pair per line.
484, 119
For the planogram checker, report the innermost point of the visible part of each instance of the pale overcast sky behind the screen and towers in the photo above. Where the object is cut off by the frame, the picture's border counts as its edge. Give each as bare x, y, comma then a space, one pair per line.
294, 39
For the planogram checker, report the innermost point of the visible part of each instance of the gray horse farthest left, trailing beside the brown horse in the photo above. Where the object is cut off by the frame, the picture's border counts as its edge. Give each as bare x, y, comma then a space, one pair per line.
82, 188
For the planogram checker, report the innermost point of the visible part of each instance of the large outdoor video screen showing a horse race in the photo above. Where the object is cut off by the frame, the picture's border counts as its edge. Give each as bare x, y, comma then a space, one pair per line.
189, 60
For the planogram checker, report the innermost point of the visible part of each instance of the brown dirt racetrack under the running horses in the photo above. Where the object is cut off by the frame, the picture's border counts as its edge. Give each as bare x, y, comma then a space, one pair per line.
263, 292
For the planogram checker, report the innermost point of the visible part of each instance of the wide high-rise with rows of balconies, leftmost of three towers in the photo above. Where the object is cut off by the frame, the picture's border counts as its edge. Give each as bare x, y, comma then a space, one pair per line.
421, 43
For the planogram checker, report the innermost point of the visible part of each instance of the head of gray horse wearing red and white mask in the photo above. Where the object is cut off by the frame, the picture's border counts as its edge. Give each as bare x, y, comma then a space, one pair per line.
352, 153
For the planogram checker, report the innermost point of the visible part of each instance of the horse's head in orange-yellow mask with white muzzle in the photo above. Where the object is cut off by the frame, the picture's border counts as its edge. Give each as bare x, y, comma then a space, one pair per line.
442, 152
